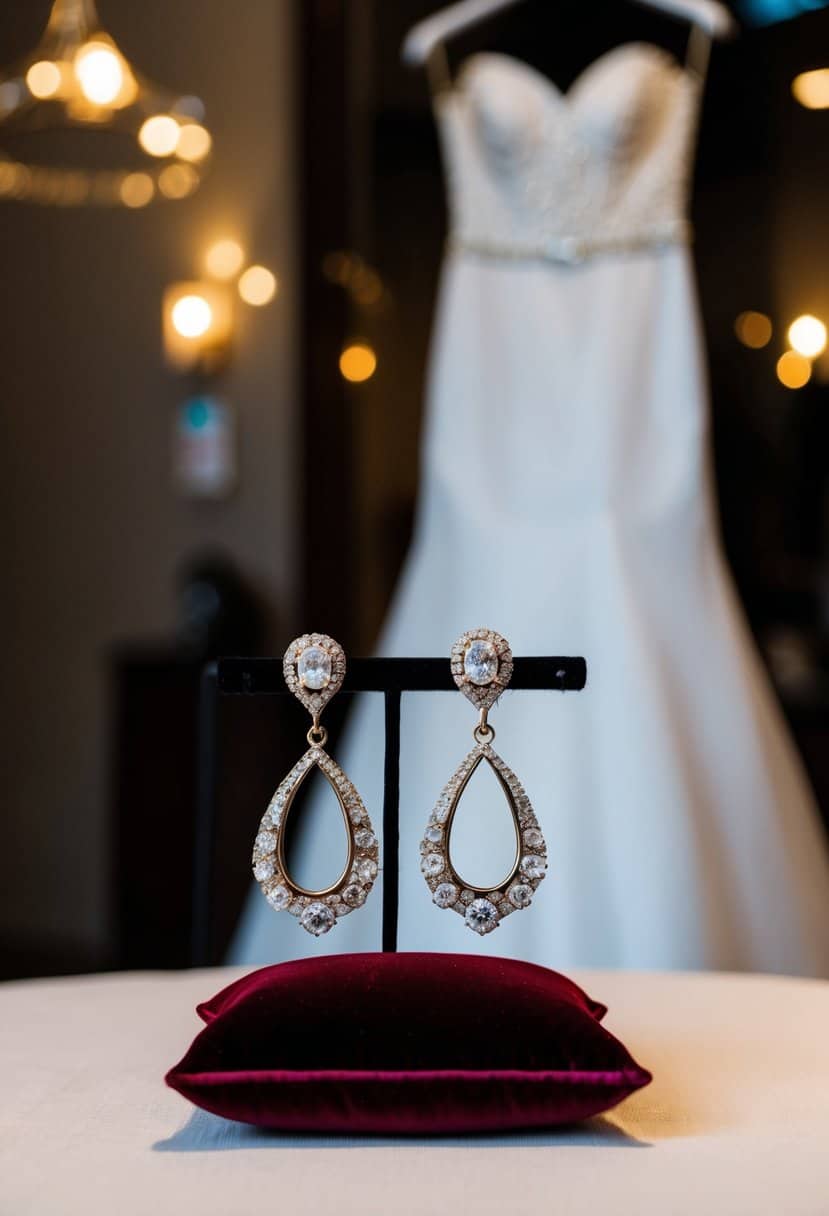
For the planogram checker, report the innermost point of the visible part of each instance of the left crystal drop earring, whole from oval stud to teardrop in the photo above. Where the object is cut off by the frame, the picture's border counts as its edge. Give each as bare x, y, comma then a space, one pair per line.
314, 668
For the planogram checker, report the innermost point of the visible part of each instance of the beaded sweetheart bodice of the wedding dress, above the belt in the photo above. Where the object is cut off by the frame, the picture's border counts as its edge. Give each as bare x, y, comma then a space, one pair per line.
538, 173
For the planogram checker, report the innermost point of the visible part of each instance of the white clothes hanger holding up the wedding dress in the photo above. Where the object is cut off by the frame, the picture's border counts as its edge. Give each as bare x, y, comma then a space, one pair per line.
425, 44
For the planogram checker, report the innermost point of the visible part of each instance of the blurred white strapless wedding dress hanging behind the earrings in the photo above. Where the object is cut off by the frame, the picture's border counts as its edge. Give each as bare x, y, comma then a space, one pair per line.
567, 503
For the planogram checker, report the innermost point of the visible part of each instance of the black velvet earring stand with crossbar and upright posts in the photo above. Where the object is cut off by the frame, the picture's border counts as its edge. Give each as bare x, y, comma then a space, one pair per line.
393, 678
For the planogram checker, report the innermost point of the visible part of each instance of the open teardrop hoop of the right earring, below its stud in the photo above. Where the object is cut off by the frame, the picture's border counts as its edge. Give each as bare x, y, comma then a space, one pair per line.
483, 910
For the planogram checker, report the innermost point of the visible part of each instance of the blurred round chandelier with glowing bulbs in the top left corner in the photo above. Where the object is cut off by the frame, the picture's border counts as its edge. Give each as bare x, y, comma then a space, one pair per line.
149, 144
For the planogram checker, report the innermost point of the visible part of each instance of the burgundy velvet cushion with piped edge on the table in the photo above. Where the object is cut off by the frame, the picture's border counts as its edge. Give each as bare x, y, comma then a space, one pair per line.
405, 1044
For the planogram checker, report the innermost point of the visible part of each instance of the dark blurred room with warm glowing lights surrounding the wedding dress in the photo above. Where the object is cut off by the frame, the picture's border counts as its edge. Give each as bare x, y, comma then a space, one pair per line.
213, 348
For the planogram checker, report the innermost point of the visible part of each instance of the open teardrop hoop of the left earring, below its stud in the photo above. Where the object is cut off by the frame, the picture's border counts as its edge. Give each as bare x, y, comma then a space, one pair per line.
317, 911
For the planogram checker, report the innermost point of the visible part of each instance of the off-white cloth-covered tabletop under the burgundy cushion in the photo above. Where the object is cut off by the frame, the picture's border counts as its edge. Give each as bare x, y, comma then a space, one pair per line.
737, 1119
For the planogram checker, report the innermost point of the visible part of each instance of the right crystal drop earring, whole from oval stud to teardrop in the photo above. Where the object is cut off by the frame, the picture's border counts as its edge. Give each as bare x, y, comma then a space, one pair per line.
482, 668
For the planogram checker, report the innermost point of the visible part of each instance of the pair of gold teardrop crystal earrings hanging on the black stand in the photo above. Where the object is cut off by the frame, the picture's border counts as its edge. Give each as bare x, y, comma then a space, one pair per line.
314, 668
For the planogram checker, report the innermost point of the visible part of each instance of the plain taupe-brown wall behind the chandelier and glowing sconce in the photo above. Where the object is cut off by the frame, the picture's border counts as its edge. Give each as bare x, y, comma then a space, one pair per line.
93, 530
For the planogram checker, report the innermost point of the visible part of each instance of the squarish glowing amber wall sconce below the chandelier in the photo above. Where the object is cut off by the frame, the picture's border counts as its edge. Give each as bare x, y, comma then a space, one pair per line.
198, 325
